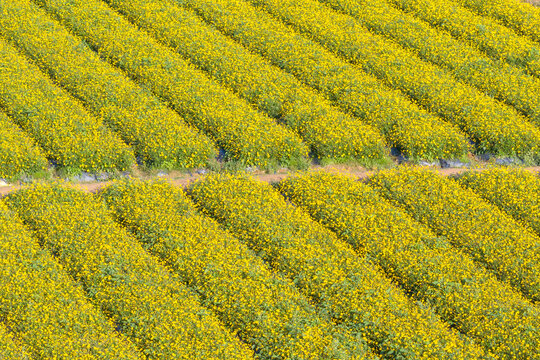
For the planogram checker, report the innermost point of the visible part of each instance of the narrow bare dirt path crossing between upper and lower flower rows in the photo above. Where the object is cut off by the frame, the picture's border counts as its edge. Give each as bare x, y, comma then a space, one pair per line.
183, 180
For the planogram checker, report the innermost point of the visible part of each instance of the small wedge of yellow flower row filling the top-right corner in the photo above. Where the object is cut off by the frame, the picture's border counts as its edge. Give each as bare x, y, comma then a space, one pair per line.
514, 14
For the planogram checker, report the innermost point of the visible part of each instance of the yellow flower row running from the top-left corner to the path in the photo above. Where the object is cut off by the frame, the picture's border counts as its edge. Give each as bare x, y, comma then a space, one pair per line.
158, 134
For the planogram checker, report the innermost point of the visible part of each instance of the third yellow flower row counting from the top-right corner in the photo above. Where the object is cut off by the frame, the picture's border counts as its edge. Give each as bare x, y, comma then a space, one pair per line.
502, 81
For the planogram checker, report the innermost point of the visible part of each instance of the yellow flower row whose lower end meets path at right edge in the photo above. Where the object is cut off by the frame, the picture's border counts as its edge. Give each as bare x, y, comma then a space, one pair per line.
495, 127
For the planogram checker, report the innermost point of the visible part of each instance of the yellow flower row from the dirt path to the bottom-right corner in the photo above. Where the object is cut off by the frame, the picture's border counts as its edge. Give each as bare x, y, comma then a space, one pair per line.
466, 296
